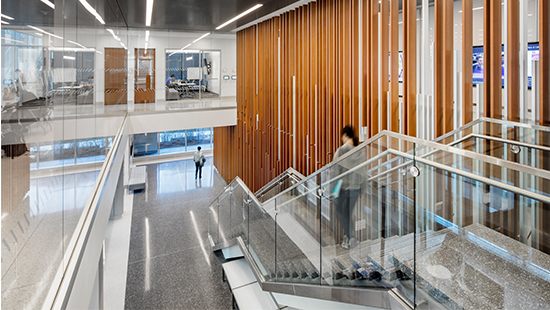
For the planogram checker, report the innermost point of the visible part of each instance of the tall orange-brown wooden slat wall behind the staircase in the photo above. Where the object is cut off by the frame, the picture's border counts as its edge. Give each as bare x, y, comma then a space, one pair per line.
331, 48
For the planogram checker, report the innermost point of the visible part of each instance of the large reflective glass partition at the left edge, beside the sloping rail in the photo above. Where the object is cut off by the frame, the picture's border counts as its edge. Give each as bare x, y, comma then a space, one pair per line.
53, 77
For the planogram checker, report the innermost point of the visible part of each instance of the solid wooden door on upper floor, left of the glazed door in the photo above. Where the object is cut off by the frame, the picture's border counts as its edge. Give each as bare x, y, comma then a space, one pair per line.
116, 91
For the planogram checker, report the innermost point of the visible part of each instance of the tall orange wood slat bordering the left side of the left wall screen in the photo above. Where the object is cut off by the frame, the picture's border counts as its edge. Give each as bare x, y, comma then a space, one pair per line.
467, 56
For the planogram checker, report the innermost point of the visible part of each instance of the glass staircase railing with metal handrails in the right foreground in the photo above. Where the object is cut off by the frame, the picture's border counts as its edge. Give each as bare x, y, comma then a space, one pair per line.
443, 228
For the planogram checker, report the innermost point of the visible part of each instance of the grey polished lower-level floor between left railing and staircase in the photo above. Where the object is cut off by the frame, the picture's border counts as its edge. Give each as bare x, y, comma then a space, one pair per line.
170, 262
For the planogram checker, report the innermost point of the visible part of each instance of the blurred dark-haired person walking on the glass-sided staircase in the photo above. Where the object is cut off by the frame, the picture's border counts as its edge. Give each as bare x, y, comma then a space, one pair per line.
348, 188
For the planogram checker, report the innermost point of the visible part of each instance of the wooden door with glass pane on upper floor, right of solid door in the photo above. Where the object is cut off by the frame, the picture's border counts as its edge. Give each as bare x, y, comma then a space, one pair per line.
144, 76
